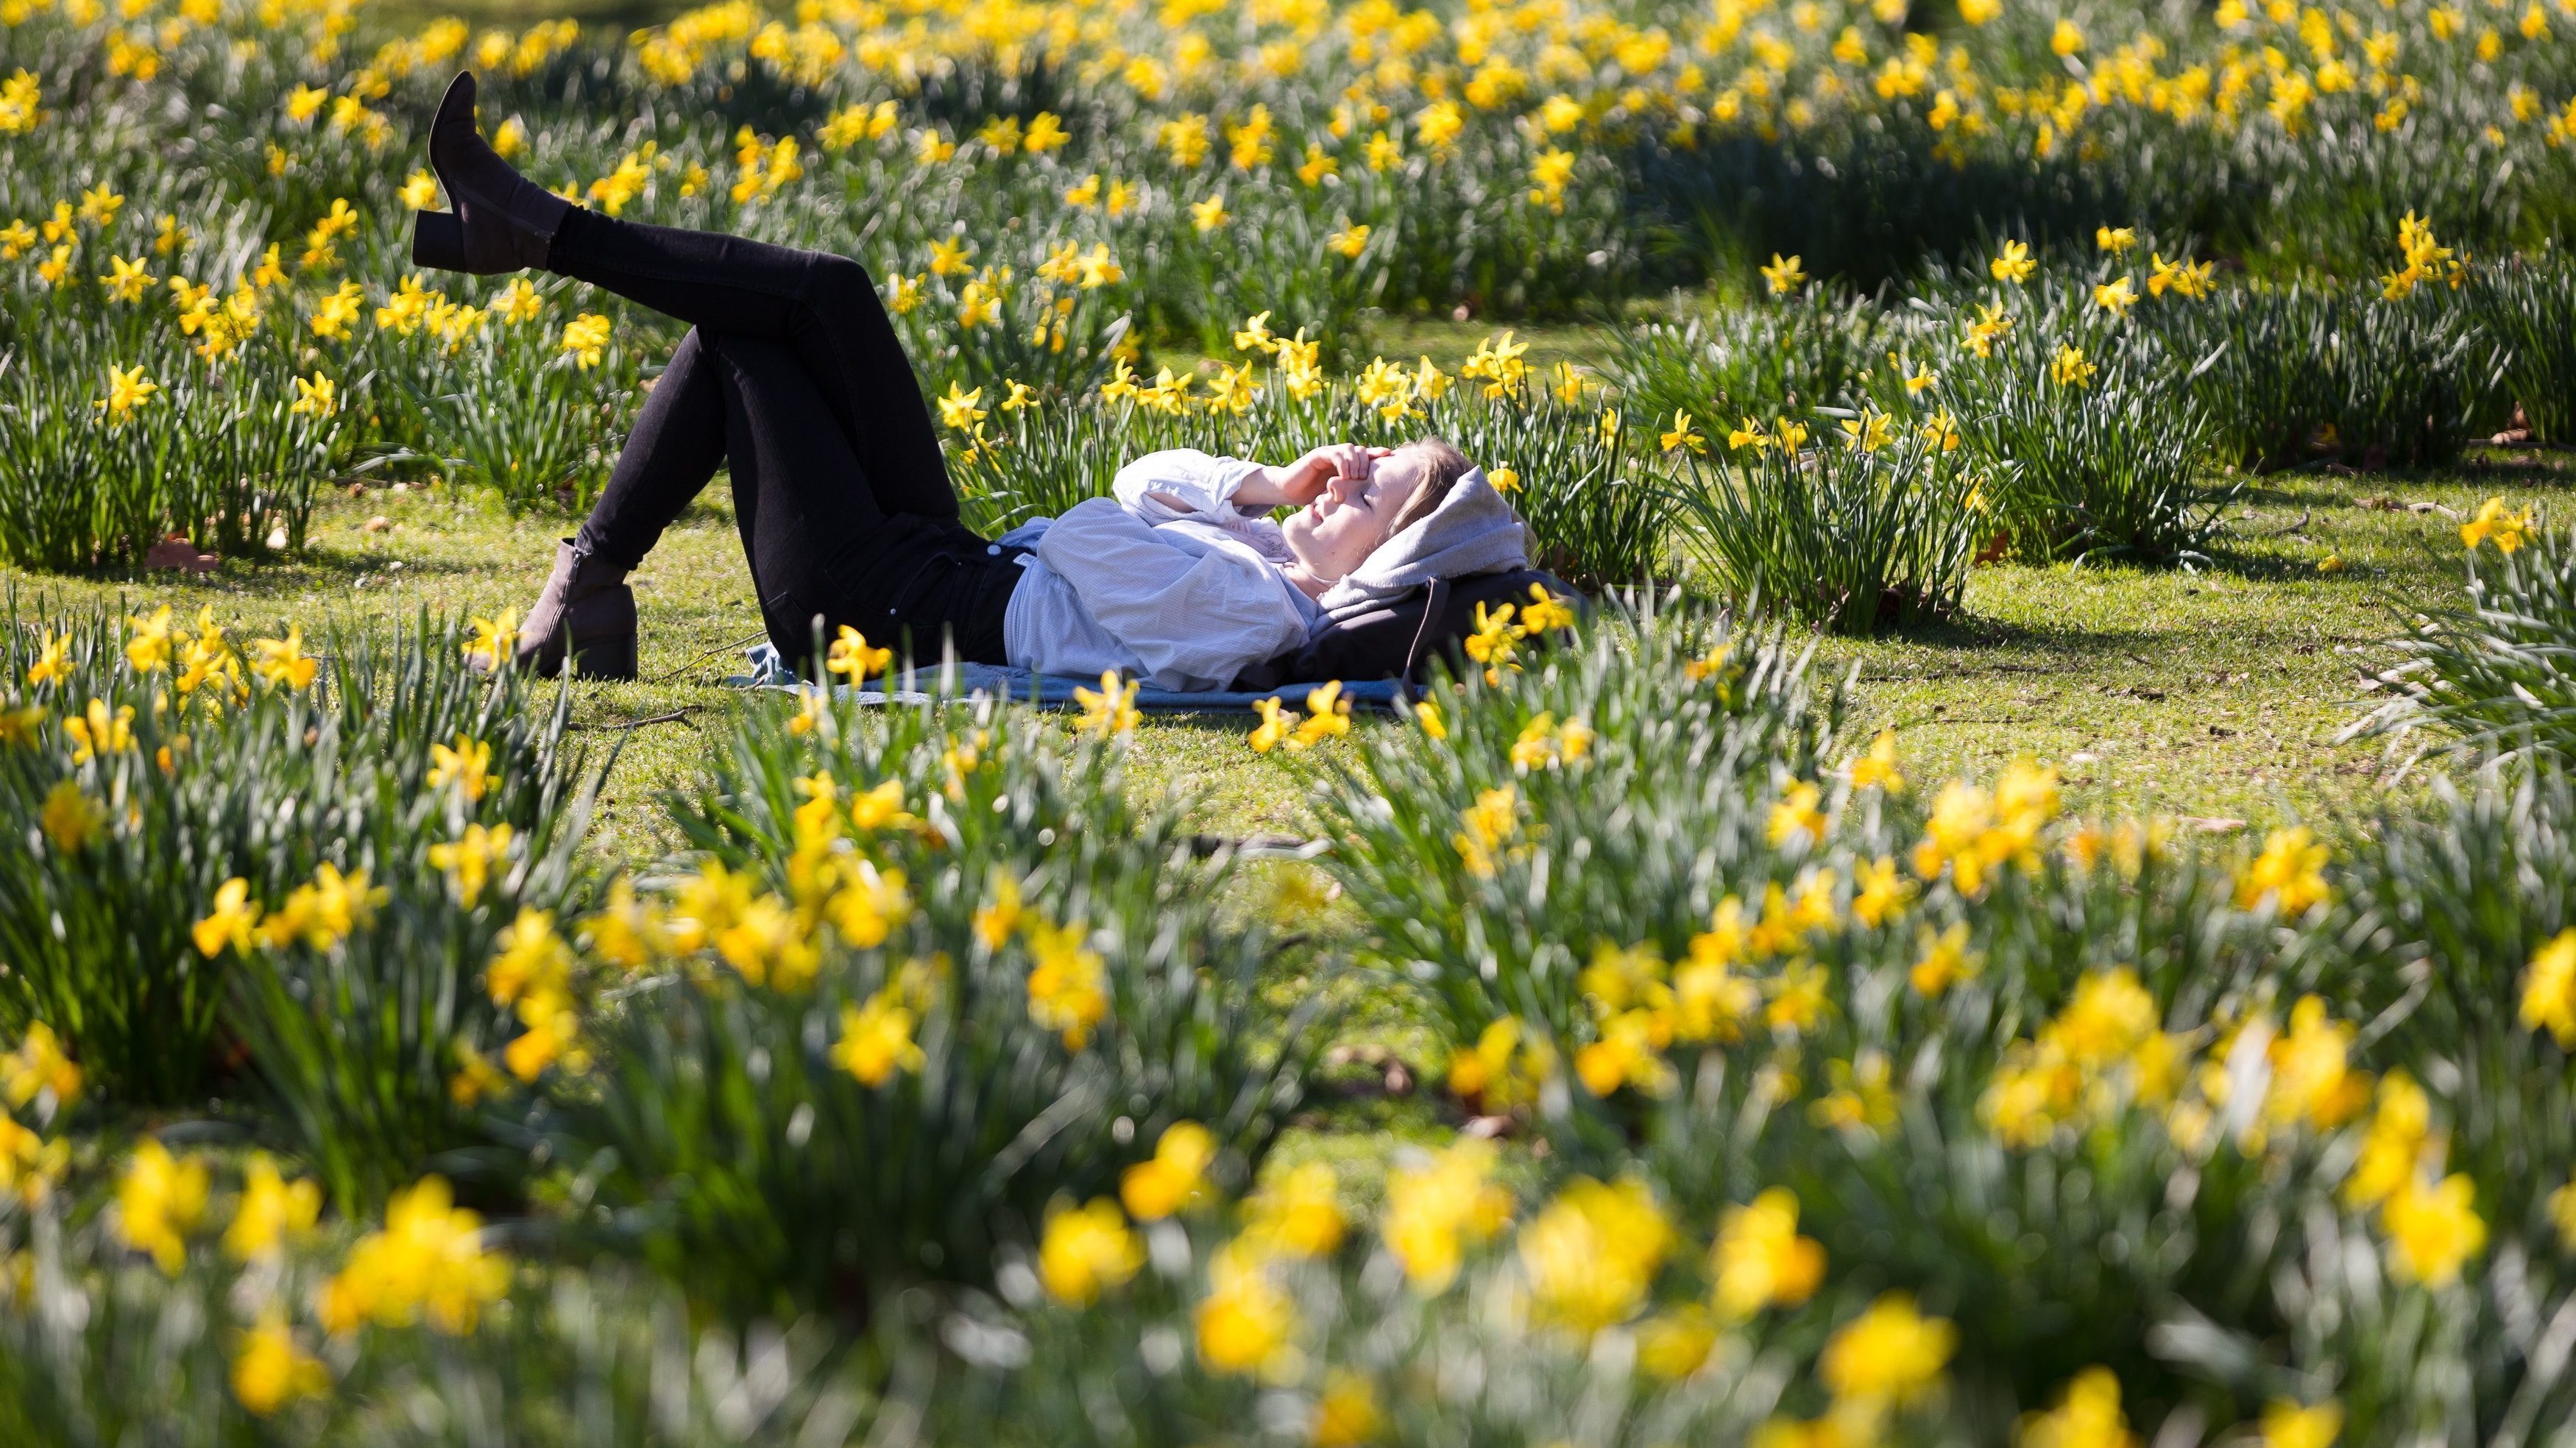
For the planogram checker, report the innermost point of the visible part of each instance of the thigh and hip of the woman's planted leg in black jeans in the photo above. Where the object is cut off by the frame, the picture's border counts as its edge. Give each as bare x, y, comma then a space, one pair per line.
818, 540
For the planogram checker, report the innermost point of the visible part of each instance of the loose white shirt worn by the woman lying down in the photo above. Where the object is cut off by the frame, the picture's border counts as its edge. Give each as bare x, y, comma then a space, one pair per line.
1168, 581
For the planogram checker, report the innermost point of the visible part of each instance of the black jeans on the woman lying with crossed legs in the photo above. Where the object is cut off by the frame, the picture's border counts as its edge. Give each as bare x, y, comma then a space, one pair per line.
795, 377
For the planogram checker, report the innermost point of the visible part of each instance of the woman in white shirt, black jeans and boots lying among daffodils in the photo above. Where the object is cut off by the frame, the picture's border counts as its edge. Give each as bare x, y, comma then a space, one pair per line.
795, 377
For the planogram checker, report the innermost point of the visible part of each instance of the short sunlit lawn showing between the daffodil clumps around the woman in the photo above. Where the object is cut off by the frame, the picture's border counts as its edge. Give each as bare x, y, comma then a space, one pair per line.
2206, 694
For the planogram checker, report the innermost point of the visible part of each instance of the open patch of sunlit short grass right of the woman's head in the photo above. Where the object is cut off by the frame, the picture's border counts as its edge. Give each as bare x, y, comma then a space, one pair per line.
2211, 694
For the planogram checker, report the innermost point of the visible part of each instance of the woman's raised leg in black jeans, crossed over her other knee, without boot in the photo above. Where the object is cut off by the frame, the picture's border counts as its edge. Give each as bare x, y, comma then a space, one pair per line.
820, 308
